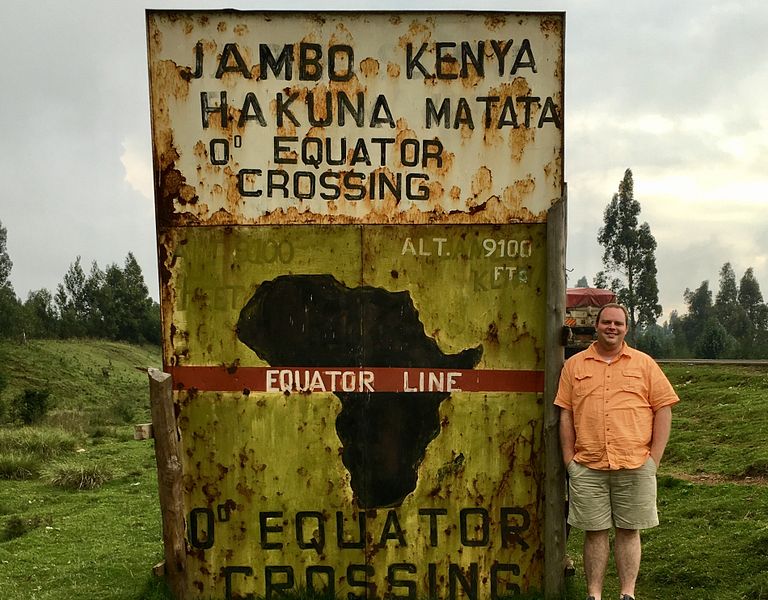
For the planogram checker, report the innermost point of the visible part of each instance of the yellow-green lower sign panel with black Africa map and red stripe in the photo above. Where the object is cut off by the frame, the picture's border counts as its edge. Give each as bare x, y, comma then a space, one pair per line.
366, 437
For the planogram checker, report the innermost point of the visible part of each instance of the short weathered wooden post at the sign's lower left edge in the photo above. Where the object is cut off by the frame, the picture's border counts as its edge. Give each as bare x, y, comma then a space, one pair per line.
169, 480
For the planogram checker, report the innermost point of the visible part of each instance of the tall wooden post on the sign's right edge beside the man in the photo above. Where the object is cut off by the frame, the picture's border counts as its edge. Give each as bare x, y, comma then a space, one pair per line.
554, 476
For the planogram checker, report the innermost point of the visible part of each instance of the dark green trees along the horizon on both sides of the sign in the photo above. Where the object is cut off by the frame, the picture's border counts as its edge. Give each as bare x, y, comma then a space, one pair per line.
114, 303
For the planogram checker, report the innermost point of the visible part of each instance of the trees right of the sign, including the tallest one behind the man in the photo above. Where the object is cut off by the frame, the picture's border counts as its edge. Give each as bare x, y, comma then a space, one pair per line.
733, 325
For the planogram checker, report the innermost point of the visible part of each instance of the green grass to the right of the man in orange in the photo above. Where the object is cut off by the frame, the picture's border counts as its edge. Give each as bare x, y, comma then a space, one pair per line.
713, 492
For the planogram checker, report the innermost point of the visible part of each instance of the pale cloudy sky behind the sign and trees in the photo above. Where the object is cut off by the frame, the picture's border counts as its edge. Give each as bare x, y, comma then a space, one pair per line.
675, 91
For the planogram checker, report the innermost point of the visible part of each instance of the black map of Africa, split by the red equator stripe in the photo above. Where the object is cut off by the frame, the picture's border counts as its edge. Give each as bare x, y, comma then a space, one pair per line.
316, 321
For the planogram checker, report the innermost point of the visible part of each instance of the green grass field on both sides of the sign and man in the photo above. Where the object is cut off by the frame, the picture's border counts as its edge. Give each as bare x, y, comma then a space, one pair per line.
79, 514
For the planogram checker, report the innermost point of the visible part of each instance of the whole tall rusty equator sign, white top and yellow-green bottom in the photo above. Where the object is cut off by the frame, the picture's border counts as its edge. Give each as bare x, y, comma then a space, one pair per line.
351, 214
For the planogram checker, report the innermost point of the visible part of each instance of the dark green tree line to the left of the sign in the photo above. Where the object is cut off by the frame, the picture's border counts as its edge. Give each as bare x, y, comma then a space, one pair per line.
112, 303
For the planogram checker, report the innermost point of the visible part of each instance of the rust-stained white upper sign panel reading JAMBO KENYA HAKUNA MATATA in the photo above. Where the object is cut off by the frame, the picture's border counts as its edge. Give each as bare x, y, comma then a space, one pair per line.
243, 176
